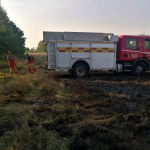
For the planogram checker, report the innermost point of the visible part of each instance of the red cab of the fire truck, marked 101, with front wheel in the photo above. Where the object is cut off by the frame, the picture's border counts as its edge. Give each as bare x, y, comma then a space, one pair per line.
133, 53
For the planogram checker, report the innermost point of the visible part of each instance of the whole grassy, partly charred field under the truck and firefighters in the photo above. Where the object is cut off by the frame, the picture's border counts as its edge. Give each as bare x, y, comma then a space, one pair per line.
55, 111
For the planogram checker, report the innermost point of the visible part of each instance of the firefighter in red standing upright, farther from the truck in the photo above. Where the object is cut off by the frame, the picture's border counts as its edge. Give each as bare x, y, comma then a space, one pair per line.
12, 64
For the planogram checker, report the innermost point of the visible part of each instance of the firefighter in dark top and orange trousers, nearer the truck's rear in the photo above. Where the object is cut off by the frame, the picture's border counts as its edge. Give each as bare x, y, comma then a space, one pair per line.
30, 63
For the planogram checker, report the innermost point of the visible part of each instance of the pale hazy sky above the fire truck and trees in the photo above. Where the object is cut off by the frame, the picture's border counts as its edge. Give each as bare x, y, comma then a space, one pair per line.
121, 17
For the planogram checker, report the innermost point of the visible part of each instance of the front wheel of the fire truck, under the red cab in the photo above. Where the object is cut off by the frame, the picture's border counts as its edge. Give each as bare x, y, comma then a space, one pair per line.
140, 68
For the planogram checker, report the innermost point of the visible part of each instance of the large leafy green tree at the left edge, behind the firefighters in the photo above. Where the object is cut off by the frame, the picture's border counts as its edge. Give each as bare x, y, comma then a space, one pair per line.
11, 37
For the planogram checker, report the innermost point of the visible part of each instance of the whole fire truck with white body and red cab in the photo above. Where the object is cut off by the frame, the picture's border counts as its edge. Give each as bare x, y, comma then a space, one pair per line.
81, 52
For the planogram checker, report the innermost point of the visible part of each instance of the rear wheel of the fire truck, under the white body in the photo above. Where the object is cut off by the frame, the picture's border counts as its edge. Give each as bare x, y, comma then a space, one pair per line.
80, 70
